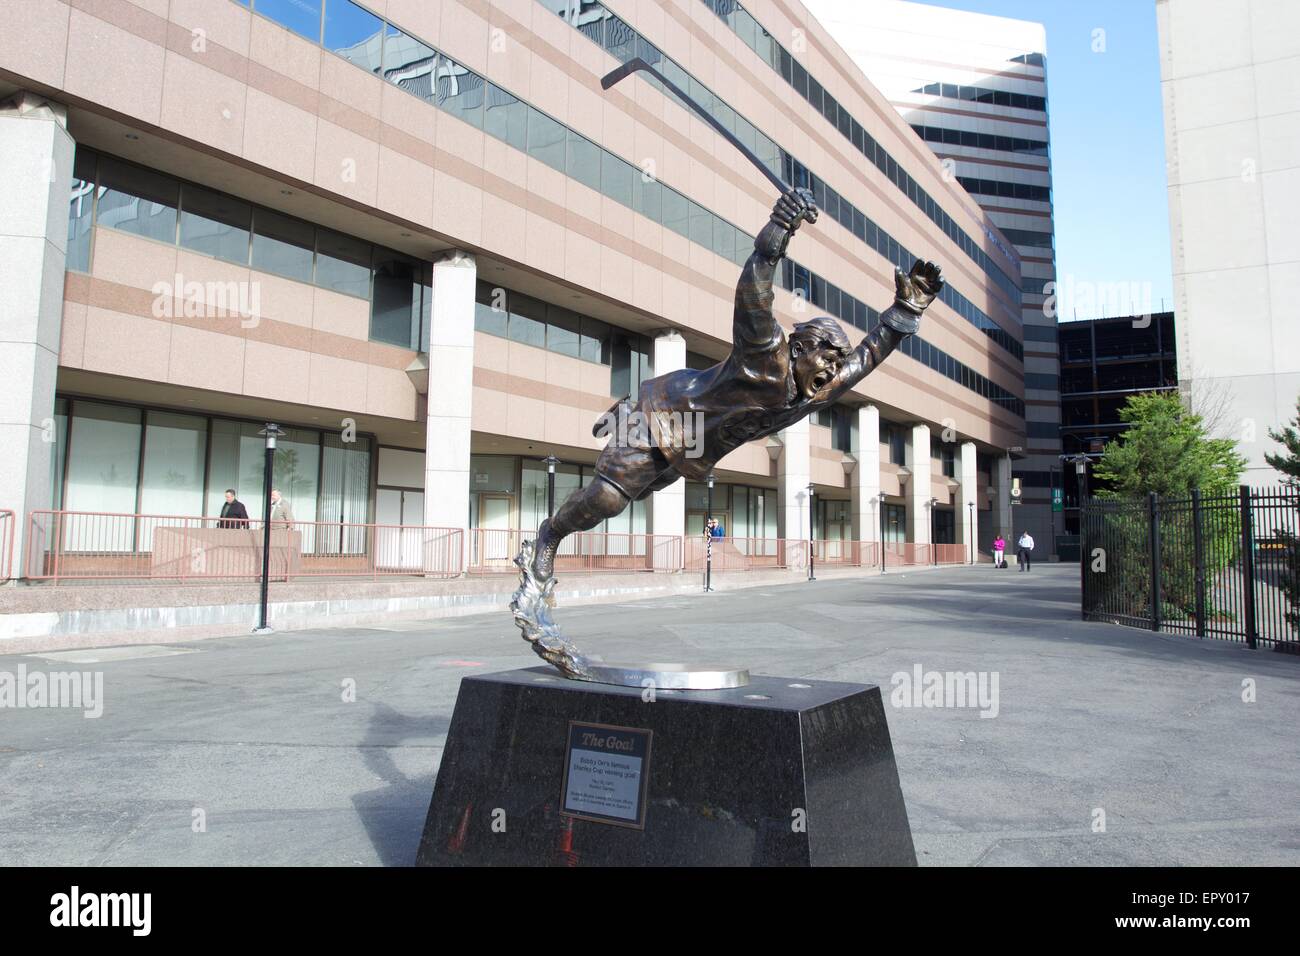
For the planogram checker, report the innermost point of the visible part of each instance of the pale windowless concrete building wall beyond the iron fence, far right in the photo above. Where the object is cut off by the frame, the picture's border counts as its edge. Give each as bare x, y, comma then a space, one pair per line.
1229, 76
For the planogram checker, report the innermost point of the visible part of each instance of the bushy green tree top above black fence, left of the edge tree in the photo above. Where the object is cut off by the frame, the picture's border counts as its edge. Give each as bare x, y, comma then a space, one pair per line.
1167, 451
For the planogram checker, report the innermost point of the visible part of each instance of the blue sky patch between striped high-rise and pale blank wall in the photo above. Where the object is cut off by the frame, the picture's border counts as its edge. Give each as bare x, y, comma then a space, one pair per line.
1108, 141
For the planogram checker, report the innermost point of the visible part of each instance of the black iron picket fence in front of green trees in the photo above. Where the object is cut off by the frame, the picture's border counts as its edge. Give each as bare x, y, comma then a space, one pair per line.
1206, 565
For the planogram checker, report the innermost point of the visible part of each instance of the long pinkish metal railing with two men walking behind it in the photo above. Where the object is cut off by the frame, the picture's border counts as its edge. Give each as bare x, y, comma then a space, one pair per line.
86, 546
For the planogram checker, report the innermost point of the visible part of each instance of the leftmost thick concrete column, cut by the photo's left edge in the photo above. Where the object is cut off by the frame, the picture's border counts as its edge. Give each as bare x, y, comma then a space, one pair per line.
36, 185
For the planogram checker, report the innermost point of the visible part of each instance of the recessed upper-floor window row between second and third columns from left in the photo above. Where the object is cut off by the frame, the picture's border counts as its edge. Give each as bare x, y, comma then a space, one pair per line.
525, 319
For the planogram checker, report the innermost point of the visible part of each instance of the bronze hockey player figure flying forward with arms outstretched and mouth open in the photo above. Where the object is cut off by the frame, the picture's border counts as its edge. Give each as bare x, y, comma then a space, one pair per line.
768, 383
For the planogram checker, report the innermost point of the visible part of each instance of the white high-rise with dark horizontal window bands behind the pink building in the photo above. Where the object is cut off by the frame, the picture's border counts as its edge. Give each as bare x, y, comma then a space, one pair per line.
974, 88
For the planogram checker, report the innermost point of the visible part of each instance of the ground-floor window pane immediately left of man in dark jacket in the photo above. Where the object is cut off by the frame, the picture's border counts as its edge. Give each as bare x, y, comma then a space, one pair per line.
175, 448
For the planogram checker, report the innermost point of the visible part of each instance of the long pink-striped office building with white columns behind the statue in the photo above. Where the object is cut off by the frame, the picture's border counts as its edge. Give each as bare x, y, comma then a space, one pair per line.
423, 240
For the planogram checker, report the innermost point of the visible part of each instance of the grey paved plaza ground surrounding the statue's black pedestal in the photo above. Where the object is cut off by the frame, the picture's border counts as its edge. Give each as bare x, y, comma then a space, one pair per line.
246, 751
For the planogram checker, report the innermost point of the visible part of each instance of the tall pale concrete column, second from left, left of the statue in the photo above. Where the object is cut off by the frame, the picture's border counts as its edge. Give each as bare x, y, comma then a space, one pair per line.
452, 373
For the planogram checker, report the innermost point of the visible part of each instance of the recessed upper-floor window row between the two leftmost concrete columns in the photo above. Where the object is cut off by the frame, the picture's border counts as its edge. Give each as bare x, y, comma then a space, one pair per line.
115, 194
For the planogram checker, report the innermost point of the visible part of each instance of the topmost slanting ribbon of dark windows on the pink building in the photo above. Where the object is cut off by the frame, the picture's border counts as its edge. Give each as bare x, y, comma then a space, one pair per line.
781, 60
